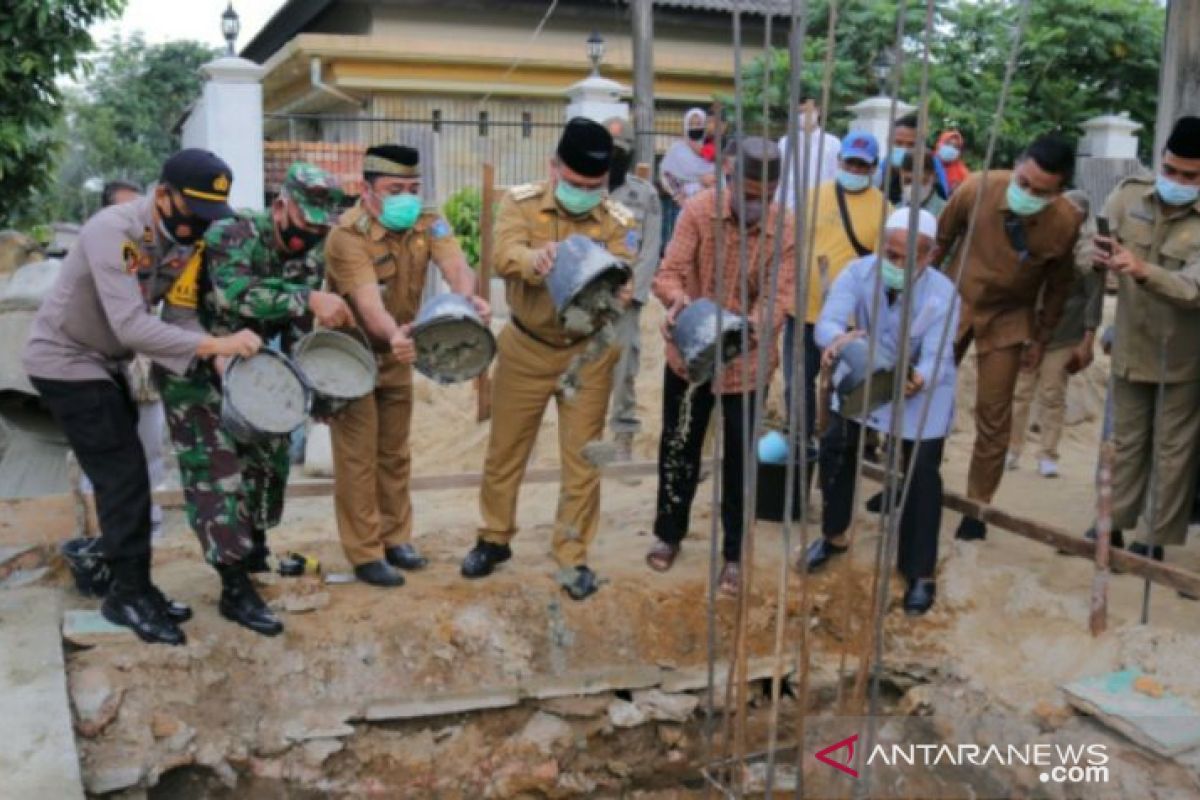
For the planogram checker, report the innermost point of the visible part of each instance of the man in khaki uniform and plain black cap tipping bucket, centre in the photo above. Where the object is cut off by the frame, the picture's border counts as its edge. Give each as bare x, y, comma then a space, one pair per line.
536, 351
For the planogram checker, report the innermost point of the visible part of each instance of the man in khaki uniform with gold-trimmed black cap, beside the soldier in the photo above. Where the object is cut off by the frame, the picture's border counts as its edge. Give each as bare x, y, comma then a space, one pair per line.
377, 257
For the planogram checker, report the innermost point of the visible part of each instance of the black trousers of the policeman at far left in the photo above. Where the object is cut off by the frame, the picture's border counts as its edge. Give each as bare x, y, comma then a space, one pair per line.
100, 420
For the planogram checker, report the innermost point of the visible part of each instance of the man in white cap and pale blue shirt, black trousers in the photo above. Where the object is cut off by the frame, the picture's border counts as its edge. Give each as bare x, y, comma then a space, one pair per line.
929, 383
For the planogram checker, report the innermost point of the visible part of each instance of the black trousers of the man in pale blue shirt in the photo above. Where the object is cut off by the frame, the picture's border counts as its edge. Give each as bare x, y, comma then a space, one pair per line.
922, 518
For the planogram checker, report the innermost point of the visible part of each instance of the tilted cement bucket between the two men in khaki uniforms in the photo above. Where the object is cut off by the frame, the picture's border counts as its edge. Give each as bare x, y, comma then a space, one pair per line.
453, 344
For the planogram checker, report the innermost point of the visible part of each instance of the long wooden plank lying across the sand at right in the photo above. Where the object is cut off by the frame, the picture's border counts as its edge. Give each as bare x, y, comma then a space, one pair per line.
1067, 543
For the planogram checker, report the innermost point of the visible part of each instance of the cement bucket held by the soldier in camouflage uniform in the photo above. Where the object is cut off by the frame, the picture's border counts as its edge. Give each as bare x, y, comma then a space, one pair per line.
338, 369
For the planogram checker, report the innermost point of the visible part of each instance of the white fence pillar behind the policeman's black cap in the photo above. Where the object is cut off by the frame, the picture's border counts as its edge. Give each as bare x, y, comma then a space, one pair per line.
229, 121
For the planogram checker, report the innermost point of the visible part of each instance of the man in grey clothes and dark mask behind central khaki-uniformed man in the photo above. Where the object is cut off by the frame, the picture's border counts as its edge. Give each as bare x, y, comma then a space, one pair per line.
646, 240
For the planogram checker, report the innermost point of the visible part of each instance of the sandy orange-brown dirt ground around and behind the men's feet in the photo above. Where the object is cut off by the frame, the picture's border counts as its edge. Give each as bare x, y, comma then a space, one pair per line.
1011, 622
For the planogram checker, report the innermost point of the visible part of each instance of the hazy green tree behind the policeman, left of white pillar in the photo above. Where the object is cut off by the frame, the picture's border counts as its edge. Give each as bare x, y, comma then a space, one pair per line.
123, 123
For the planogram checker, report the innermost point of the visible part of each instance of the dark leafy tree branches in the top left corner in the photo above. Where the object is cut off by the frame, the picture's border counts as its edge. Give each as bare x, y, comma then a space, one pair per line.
44, 40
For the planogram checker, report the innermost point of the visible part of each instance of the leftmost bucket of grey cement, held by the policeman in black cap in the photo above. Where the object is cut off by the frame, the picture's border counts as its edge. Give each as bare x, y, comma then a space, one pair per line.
263, 396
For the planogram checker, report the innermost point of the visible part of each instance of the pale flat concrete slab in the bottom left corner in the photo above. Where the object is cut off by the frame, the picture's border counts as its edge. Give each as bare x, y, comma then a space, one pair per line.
39, 759
